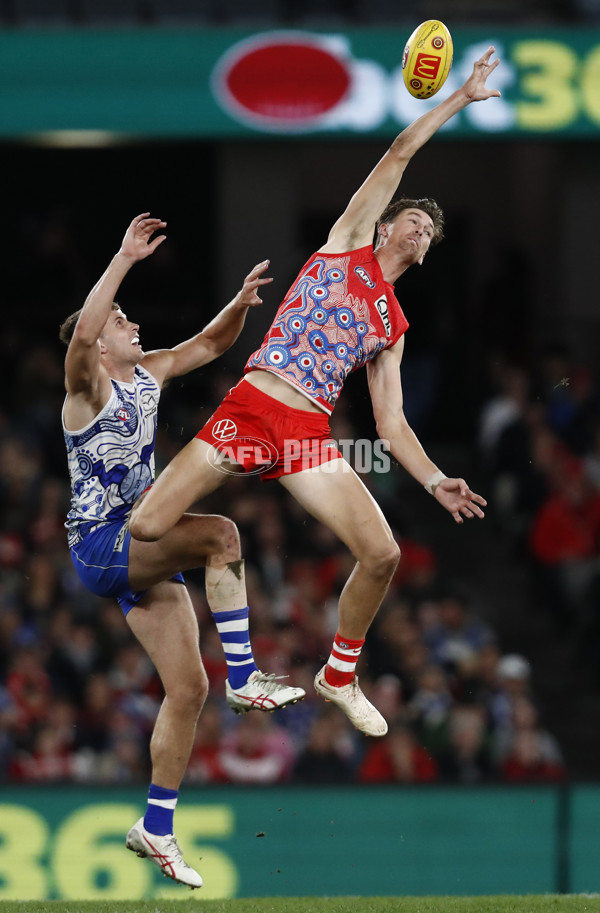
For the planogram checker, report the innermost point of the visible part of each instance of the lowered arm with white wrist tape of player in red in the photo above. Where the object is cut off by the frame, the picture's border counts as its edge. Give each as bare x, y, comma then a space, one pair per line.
385, 388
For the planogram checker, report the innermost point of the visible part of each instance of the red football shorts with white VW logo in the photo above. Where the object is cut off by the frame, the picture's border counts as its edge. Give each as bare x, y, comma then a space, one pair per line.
266, 437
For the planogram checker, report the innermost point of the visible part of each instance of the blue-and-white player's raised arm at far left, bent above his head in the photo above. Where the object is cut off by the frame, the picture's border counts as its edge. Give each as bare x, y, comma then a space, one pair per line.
82, 363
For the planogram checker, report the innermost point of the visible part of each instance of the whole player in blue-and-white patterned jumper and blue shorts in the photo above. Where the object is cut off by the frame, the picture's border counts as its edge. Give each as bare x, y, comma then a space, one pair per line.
110, 421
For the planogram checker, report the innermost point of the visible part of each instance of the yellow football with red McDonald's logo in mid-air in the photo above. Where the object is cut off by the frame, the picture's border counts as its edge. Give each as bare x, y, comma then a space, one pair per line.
427, 59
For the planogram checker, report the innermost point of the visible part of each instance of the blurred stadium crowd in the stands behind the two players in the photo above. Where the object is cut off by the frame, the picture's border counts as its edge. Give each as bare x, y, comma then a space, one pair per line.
78, 697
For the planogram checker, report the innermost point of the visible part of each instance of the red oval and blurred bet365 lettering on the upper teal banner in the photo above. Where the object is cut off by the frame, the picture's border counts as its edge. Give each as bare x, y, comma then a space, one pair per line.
298, 82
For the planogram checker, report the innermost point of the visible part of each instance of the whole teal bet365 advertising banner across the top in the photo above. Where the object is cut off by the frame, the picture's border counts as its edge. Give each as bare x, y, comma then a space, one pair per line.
225, 83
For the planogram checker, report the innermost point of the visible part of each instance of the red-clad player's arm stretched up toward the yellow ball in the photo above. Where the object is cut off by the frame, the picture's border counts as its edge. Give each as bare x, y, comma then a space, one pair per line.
355, 226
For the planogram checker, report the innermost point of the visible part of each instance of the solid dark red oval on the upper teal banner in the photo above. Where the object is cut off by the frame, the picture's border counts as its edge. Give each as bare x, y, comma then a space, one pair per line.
287, 81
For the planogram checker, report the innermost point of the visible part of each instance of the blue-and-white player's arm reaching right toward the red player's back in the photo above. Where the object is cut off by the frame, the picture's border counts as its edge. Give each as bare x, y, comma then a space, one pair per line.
215, 338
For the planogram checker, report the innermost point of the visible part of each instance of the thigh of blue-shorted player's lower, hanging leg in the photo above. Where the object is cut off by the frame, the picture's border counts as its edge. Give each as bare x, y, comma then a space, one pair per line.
165, 624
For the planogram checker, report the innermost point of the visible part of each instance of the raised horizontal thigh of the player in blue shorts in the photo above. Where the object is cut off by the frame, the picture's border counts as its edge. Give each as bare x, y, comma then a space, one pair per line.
194, 539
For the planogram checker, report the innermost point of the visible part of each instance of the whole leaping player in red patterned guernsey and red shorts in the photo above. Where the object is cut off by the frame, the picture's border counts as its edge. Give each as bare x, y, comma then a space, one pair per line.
340, 314
